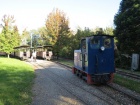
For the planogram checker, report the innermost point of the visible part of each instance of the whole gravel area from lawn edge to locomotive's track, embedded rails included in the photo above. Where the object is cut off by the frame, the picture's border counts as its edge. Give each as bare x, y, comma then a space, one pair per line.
55, 85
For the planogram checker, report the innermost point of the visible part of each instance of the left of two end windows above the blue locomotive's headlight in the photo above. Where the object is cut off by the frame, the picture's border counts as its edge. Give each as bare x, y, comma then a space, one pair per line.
95, 42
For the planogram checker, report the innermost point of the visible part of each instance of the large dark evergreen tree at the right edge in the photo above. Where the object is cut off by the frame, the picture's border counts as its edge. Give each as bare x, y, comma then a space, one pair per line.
127, 22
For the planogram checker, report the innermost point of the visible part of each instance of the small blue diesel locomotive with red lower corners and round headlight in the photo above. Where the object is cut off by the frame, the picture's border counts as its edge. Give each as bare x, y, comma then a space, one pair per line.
94, 61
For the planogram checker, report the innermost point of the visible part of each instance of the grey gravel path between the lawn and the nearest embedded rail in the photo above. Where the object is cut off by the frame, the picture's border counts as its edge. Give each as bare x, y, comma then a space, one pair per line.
47, 92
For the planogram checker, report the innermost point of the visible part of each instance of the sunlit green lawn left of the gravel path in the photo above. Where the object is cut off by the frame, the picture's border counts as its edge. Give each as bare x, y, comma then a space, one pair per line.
16, 80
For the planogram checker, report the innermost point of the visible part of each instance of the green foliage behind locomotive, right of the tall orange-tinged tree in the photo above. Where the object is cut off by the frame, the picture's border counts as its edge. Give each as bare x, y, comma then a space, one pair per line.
72, 42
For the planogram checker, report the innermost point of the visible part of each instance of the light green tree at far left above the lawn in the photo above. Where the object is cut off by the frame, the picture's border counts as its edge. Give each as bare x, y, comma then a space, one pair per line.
9, 37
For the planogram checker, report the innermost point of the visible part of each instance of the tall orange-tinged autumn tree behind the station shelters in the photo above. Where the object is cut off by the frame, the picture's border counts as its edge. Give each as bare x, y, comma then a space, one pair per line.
58, 29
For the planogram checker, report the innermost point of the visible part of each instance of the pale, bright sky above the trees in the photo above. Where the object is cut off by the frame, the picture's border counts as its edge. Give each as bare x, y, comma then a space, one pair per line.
32, 14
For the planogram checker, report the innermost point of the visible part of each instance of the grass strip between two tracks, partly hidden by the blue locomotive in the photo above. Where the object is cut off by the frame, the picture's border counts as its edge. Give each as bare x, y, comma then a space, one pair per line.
120, 80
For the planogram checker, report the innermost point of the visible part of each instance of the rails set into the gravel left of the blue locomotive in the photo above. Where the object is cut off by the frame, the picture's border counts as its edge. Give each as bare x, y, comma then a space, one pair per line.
106, 99
